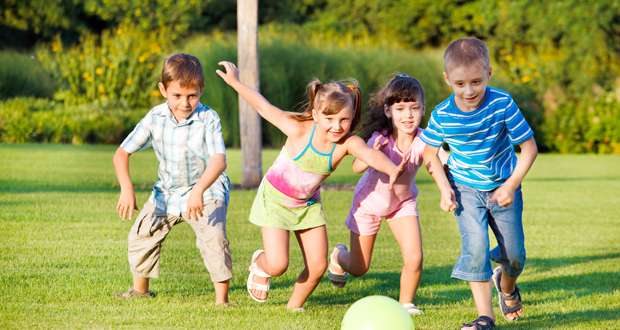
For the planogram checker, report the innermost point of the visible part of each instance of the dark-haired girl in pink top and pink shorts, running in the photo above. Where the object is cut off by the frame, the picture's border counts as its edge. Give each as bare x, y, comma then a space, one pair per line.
391, 125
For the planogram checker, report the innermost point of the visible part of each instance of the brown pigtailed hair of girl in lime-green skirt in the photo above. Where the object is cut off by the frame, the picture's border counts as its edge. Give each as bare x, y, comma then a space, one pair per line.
331, 98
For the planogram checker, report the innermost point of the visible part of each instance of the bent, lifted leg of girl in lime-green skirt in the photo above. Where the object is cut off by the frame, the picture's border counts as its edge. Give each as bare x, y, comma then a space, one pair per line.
275, 259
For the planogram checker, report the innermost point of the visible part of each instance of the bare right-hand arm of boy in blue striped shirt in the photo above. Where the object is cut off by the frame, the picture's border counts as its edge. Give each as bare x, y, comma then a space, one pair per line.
505, 194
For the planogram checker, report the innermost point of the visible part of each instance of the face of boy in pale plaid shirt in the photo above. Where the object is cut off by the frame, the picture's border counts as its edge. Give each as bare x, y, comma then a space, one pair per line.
182, 101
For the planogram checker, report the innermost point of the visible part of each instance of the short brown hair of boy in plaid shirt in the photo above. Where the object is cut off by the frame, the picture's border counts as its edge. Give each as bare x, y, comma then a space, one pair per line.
185, 69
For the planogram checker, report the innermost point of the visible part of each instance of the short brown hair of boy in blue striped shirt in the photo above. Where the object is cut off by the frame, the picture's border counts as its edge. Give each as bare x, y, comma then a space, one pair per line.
466, 52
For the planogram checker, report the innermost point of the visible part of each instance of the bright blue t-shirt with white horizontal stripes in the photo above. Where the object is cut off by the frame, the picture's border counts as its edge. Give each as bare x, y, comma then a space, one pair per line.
480, 141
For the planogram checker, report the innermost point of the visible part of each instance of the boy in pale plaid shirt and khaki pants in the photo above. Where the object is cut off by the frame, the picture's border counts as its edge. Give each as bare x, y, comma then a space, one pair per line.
192, 185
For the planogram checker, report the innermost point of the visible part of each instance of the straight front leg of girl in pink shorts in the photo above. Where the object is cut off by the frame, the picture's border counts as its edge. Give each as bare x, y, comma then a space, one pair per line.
406, 230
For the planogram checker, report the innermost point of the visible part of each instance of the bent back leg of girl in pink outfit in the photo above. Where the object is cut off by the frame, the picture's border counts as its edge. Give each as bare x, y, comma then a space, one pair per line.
356, 261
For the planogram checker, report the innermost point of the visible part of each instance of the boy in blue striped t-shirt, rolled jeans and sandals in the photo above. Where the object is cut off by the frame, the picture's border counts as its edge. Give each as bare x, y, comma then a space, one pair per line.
481, 124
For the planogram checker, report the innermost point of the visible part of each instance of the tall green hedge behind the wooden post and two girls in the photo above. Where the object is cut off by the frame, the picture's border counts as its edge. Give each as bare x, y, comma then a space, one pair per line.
287, 65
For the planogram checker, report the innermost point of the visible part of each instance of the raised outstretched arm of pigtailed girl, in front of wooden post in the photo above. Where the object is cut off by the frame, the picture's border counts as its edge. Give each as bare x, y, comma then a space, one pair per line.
272, 114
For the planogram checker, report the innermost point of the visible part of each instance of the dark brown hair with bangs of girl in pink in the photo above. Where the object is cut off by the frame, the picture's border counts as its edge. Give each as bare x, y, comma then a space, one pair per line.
401, 88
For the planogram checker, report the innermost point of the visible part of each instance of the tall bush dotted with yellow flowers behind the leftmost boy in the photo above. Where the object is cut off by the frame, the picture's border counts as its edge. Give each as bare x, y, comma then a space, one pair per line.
123, 64
